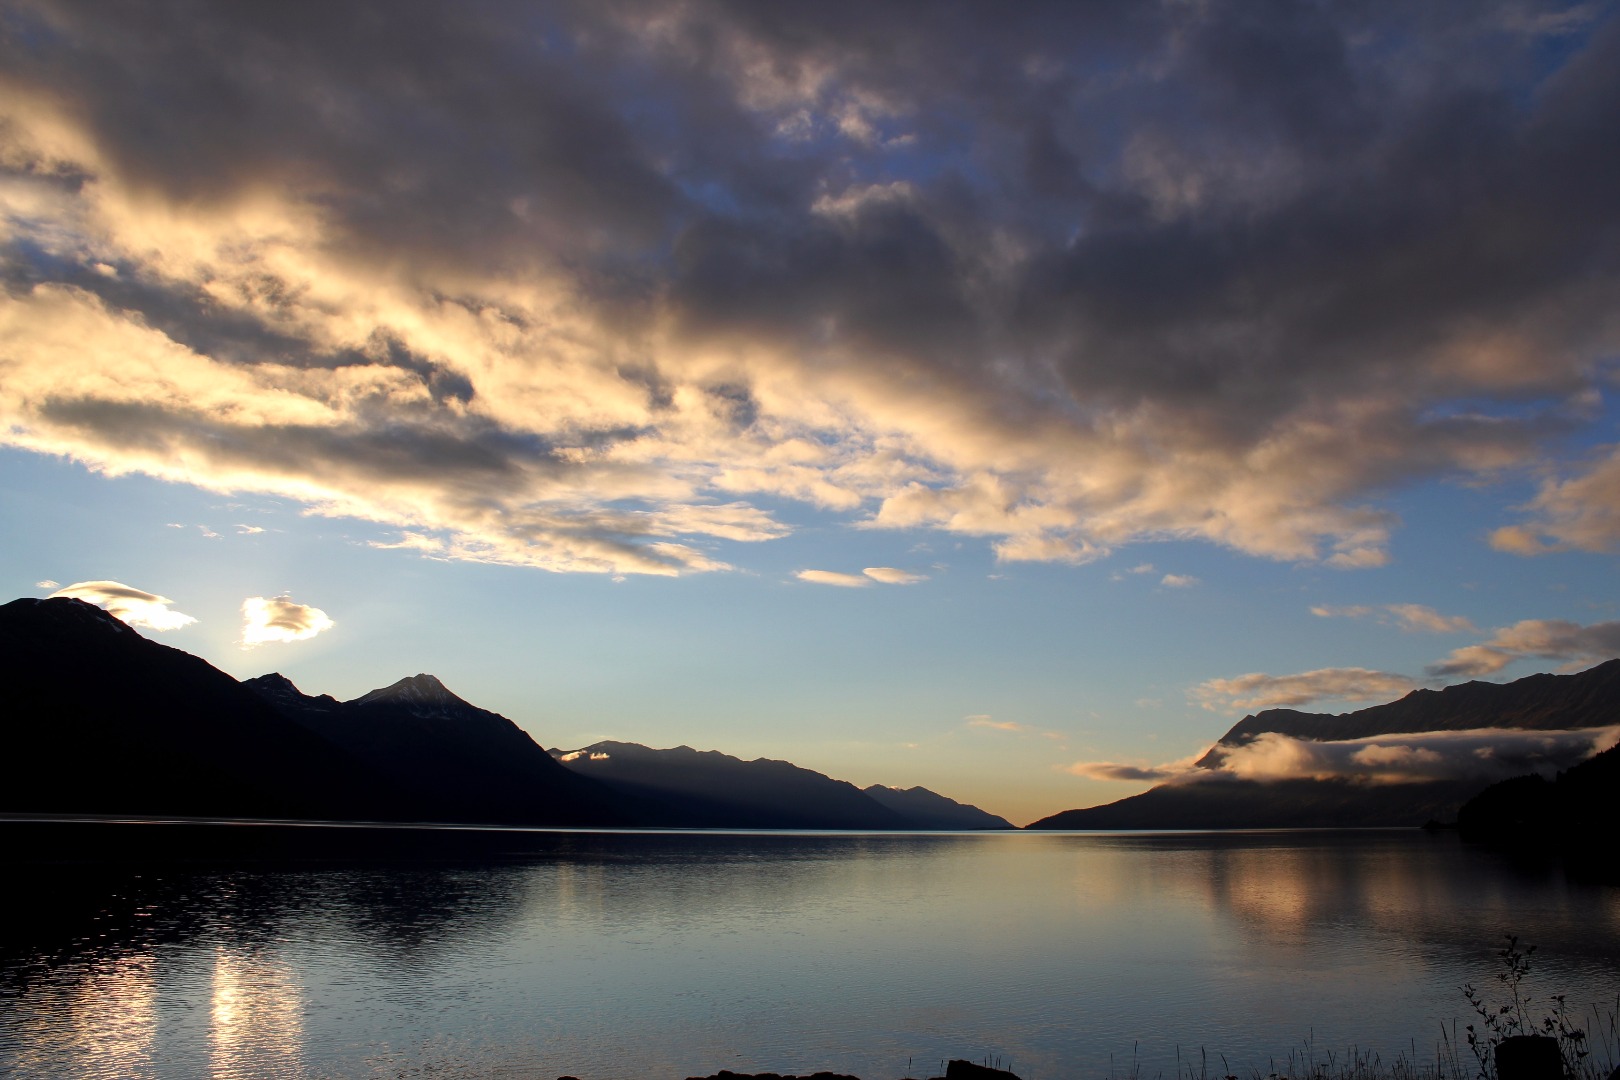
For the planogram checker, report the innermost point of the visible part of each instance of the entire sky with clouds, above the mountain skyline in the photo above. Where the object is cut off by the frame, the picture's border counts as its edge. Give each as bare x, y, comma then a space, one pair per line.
1002, 399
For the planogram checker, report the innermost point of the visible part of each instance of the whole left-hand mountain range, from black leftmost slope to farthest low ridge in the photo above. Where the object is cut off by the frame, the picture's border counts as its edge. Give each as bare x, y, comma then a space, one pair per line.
104, 721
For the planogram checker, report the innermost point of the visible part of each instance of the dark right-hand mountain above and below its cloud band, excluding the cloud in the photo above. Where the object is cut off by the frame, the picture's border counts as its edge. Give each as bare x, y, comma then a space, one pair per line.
1590, 699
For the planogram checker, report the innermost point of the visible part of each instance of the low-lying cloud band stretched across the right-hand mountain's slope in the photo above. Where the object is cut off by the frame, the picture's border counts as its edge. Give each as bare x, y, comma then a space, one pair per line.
1483, 754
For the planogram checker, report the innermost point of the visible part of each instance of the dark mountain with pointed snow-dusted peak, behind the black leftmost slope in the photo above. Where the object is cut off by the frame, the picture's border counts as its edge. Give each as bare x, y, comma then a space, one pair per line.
458, 762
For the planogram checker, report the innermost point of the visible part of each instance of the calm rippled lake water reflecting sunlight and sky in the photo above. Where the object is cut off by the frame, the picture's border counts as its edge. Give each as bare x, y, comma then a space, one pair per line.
652, 956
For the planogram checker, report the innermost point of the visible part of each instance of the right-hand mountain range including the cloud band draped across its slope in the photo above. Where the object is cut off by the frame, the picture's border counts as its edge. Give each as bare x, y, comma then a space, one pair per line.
1470, 747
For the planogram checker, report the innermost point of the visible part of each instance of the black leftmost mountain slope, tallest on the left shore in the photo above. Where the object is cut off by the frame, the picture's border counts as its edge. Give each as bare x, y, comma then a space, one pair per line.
103, 721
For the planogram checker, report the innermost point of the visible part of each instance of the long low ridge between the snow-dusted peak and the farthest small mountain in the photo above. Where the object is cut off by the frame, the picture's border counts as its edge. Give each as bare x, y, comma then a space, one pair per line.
706, 789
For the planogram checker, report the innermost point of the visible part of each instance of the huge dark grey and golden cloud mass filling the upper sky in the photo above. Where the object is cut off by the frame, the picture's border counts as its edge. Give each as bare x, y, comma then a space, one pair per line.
1064, 281
